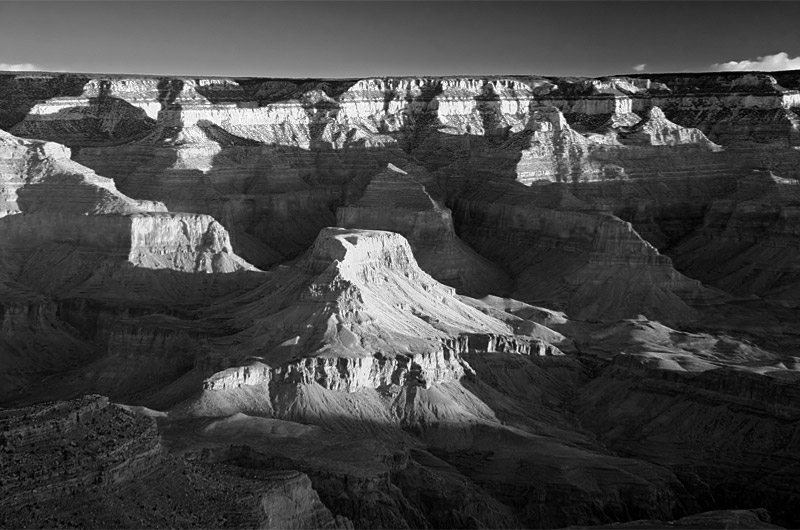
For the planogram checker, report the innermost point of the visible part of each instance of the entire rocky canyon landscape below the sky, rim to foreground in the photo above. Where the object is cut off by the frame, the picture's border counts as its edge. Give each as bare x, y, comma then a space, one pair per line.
400, 303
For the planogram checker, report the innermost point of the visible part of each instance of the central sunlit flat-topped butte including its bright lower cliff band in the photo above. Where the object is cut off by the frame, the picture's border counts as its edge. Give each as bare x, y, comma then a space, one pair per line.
354, 313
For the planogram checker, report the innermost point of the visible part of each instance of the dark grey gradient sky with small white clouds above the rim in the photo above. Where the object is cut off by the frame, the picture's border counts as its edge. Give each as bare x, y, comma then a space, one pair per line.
335, 38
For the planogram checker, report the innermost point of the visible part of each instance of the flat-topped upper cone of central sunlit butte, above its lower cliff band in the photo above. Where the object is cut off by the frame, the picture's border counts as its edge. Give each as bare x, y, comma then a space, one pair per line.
357, 293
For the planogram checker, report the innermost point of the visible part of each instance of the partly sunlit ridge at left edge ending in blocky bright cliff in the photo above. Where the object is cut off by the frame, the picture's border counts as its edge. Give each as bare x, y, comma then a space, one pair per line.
52, 200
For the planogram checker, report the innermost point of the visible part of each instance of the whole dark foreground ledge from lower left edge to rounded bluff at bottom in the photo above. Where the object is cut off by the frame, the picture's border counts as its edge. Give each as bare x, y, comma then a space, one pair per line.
98, 465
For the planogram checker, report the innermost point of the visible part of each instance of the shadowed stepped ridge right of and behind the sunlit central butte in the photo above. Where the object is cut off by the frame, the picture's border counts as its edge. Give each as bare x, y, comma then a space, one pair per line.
589, 265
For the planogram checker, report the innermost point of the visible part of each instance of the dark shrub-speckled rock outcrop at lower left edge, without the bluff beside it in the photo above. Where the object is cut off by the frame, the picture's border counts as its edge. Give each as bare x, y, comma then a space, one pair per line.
66, 449
